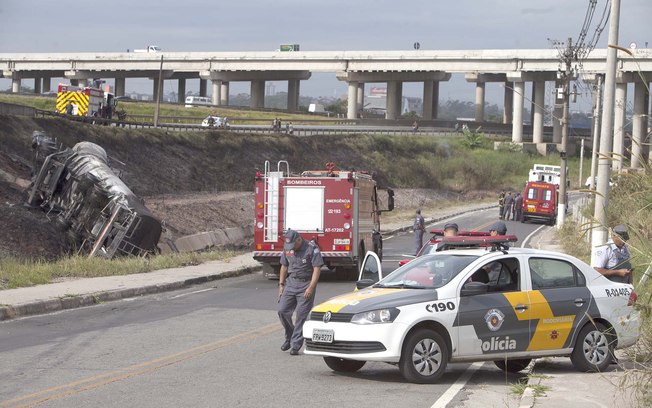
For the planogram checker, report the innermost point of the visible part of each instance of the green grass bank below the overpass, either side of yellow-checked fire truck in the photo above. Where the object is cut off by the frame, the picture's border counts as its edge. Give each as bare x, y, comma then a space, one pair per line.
144, 111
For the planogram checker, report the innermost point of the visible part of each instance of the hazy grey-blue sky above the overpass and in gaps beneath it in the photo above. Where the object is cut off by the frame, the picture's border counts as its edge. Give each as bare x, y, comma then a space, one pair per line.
257, 25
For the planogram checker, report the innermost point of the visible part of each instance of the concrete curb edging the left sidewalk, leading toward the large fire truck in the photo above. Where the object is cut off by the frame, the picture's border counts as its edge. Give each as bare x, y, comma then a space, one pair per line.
8, 312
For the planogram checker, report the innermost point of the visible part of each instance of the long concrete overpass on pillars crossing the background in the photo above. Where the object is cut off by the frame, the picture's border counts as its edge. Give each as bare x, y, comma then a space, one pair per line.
512, 68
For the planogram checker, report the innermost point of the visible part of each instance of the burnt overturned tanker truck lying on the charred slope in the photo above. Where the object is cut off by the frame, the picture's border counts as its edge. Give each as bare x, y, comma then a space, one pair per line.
81, 194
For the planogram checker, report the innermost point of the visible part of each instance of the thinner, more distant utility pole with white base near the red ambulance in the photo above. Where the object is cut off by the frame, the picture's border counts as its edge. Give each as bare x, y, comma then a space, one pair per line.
568, 57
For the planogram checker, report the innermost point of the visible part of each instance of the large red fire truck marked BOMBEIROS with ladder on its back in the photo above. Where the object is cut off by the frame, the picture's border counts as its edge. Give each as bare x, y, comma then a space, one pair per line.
339, 210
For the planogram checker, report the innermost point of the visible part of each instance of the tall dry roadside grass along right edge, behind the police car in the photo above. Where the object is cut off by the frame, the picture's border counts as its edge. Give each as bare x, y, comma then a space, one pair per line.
630, 203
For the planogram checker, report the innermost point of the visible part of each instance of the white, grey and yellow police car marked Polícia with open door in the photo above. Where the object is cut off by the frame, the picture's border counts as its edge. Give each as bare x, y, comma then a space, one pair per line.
490, 302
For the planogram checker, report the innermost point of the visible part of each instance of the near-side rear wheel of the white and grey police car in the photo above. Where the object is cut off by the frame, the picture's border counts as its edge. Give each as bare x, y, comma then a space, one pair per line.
593, 349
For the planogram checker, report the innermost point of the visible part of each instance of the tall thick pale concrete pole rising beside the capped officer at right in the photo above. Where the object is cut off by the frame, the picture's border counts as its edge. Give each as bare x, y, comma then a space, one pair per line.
599, 233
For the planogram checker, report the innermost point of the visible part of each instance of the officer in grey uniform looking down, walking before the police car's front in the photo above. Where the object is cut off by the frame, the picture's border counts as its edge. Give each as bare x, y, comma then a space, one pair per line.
301, 262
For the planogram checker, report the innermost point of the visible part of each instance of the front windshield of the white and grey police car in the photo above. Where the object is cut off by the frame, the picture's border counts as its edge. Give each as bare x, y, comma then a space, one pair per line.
427, 272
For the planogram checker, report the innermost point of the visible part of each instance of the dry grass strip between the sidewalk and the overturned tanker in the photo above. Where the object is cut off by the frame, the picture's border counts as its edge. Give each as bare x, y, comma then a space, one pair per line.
15, 273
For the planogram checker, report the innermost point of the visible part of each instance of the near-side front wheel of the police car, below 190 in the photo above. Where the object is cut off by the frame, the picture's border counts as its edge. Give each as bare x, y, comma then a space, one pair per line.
424, 357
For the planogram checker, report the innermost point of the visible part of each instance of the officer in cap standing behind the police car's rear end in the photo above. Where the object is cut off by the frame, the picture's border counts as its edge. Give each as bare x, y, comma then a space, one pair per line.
613, 259
